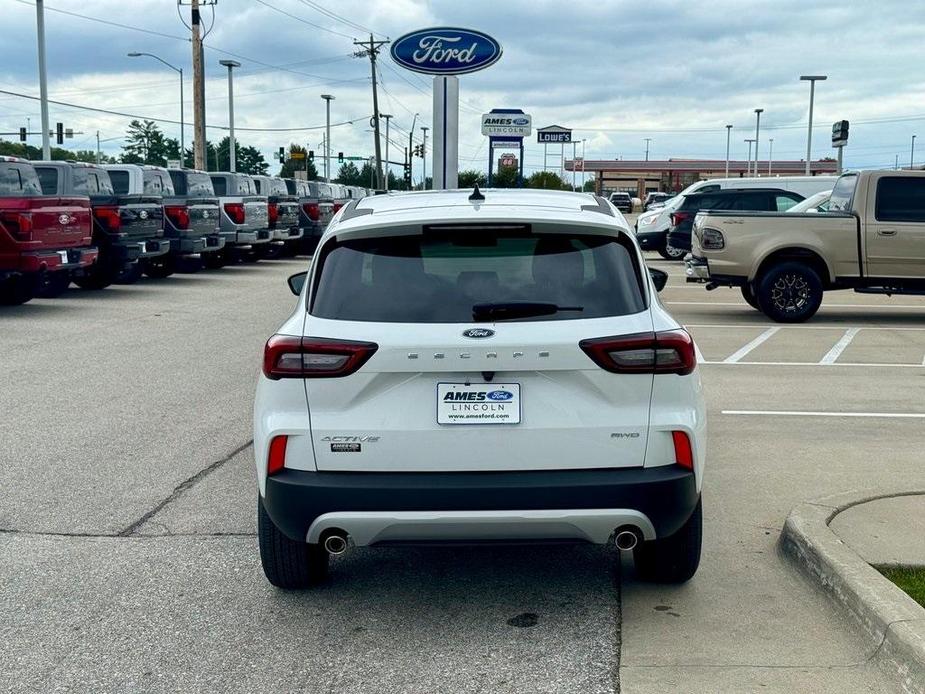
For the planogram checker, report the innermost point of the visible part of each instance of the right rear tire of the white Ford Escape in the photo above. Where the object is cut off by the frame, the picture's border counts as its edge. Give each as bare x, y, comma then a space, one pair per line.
672, 559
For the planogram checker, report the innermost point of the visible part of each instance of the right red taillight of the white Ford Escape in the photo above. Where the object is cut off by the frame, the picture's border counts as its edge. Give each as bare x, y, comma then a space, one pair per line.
668, 352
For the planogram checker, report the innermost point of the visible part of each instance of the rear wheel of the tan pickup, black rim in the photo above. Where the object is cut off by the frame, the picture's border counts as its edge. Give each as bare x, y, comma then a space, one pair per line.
790, 292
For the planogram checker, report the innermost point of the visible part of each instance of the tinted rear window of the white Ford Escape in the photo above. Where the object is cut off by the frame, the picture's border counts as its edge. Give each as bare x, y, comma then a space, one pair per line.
438, 278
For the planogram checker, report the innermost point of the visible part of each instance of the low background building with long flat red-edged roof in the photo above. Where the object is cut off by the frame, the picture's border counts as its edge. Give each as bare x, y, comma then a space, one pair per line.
673, 175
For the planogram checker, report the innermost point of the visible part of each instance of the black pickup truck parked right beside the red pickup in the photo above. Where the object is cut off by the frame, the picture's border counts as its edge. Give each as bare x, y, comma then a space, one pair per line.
127, 229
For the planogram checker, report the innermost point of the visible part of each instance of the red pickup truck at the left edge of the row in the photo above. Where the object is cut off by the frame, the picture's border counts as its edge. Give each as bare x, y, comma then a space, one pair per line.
44, 239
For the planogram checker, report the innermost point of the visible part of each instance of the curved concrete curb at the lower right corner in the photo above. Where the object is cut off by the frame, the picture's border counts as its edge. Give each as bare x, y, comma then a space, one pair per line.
893, 621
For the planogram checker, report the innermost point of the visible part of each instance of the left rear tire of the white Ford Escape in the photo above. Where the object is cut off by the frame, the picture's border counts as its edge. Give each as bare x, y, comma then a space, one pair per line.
288, 563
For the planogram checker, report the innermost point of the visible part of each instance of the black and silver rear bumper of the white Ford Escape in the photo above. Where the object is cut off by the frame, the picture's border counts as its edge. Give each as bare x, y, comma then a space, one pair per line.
453, 506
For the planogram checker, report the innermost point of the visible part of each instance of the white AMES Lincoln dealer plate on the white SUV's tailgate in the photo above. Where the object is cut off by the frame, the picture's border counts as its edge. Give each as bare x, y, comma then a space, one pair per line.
478, 403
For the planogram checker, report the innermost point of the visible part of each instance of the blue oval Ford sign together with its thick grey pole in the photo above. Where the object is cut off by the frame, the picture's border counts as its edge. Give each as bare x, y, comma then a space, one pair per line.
445, 52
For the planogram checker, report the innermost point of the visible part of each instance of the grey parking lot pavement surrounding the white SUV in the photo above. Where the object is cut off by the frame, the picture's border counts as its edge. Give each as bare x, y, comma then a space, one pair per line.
129, 562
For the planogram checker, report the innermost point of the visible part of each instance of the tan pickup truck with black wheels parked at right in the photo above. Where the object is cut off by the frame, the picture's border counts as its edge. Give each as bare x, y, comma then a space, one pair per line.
871, 240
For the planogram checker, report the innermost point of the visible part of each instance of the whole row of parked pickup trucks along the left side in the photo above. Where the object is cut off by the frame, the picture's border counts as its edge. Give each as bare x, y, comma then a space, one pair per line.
63, 222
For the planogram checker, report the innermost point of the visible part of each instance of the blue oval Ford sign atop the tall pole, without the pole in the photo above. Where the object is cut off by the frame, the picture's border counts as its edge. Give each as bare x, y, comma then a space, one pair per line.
445, 51
